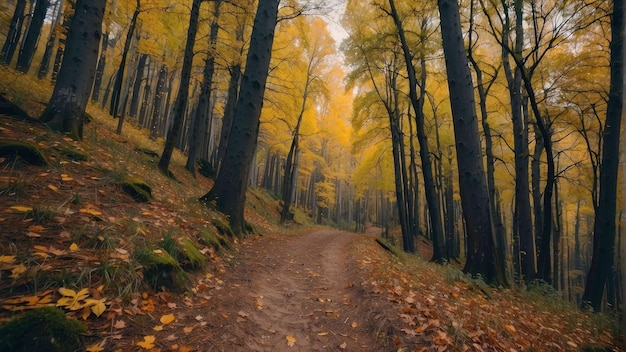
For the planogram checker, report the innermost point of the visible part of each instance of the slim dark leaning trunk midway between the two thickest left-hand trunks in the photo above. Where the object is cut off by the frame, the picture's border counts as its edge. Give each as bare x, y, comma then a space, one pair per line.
180, 104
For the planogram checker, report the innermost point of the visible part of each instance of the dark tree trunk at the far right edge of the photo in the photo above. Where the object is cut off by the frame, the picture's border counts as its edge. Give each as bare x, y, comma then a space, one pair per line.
604, 225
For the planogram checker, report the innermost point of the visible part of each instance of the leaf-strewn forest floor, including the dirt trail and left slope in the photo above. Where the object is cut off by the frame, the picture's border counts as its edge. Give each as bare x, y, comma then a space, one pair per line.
71, 238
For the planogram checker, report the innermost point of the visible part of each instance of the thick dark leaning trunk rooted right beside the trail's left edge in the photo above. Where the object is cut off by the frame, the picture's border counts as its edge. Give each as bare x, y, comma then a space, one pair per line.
230, 187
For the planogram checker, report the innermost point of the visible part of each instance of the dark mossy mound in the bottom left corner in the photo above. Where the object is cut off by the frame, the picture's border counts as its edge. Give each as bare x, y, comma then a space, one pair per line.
42, 329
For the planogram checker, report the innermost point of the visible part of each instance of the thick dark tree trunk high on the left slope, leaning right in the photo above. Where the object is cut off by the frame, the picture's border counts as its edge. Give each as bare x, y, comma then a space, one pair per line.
66, 108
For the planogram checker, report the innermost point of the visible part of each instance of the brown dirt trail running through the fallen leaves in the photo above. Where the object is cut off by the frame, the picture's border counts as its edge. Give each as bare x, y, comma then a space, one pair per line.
306, 287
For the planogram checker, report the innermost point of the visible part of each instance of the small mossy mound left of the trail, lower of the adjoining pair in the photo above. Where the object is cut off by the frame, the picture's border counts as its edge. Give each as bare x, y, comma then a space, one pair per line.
162, 270
